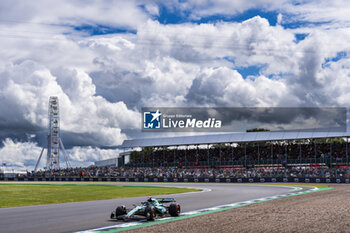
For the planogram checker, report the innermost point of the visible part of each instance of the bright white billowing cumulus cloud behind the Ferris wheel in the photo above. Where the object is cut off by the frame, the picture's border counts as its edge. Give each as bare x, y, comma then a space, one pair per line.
27, 87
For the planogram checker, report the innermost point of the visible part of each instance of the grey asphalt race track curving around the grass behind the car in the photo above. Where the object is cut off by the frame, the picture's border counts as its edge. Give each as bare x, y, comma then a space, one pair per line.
79, 216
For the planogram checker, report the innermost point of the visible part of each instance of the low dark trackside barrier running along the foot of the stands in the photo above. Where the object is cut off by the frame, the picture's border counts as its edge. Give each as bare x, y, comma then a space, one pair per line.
199, 180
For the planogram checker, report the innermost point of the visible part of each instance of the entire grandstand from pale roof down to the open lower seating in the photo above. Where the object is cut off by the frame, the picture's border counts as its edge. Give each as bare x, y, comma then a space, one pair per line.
315, 157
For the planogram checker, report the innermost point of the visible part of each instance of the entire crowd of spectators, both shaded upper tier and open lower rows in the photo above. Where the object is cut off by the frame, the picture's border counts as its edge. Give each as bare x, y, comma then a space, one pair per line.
168, 163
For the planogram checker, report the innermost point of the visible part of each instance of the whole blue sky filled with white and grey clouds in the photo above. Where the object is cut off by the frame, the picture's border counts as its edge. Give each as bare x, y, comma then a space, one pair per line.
107, 59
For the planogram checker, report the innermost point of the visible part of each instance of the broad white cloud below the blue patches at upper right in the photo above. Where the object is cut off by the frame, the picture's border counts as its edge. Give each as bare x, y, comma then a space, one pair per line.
252, 42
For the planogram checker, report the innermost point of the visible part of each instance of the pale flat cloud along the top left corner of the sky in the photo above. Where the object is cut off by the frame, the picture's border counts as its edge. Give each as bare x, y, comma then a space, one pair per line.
75, 13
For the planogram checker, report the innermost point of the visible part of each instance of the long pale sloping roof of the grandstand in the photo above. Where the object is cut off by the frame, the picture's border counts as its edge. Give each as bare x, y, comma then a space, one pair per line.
230, 138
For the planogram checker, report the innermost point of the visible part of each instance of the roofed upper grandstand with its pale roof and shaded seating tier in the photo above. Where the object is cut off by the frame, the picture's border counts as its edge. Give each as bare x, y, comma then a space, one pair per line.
253, 149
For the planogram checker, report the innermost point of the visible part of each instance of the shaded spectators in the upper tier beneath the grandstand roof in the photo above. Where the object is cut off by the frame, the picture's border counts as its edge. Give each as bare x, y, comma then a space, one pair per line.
241, 152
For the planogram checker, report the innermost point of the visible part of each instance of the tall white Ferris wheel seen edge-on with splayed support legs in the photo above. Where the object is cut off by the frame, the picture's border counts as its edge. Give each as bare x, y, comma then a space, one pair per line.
54, 141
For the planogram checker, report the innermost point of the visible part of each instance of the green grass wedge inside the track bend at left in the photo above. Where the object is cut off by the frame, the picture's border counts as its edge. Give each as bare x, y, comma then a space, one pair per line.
12, 195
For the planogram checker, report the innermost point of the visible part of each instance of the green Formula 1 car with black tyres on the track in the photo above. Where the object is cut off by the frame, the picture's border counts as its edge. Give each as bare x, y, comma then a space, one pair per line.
149, 209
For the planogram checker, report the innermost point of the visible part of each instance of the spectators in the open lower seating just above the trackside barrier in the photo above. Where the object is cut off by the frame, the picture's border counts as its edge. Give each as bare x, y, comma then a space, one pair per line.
176, 172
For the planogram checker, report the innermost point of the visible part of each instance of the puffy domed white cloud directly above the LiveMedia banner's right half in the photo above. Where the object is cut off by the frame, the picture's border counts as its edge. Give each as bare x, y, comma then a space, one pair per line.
233, 90
